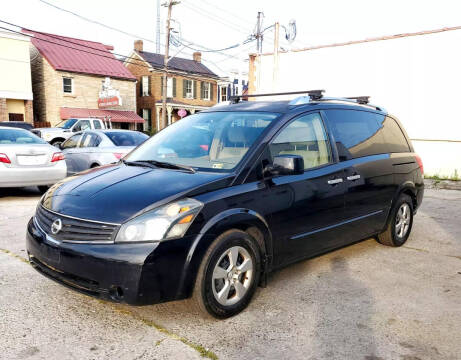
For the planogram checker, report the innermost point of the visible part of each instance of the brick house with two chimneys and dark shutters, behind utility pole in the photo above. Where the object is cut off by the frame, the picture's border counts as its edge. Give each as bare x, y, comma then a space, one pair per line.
191, 86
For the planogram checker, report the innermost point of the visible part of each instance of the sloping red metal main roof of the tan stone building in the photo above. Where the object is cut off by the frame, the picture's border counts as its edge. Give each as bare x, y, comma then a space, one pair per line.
81, 56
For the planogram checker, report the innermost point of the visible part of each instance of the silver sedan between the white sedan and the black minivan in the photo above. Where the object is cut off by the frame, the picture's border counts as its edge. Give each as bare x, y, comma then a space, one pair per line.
90, 149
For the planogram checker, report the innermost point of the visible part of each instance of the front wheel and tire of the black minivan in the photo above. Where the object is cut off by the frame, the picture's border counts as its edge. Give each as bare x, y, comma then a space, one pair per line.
209, 283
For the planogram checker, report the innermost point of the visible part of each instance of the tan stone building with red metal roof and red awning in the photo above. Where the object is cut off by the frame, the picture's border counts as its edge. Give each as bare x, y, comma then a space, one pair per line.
78, 78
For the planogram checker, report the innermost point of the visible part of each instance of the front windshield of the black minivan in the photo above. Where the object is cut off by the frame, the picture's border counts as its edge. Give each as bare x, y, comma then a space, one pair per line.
205, 141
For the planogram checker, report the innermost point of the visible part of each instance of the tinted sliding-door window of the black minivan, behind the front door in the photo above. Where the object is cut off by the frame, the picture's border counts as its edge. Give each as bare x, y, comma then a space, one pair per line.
357, 133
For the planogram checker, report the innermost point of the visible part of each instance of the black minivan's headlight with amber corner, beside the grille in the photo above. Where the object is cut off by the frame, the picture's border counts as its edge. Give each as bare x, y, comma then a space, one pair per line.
166, 222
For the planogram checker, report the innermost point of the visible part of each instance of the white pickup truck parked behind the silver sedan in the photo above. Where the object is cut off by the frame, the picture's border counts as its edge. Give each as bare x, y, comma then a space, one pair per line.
66, 128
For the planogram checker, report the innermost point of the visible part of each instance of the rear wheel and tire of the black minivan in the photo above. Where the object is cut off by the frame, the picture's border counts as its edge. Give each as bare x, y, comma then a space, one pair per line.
402, 212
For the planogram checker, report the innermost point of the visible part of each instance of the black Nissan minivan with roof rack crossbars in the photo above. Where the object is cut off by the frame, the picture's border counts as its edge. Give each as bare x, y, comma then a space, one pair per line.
210, 205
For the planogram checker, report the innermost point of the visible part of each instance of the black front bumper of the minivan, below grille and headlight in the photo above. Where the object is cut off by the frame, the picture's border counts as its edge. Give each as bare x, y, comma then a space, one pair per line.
136, 274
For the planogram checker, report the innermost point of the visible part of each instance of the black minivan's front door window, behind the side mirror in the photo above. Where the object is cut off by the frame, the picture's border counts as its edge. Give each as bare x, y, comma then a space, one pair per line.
306, 137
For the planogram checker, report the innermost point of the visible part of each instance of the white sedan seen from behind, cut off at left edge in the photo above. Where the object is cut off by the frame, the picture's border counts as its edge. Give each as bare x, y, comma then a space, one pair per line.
27, 160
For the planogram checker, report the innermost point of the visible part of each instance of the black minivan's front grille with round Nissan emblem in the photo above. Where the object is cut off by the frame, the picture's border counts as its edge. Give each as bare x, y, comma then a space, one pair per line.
74, 230
